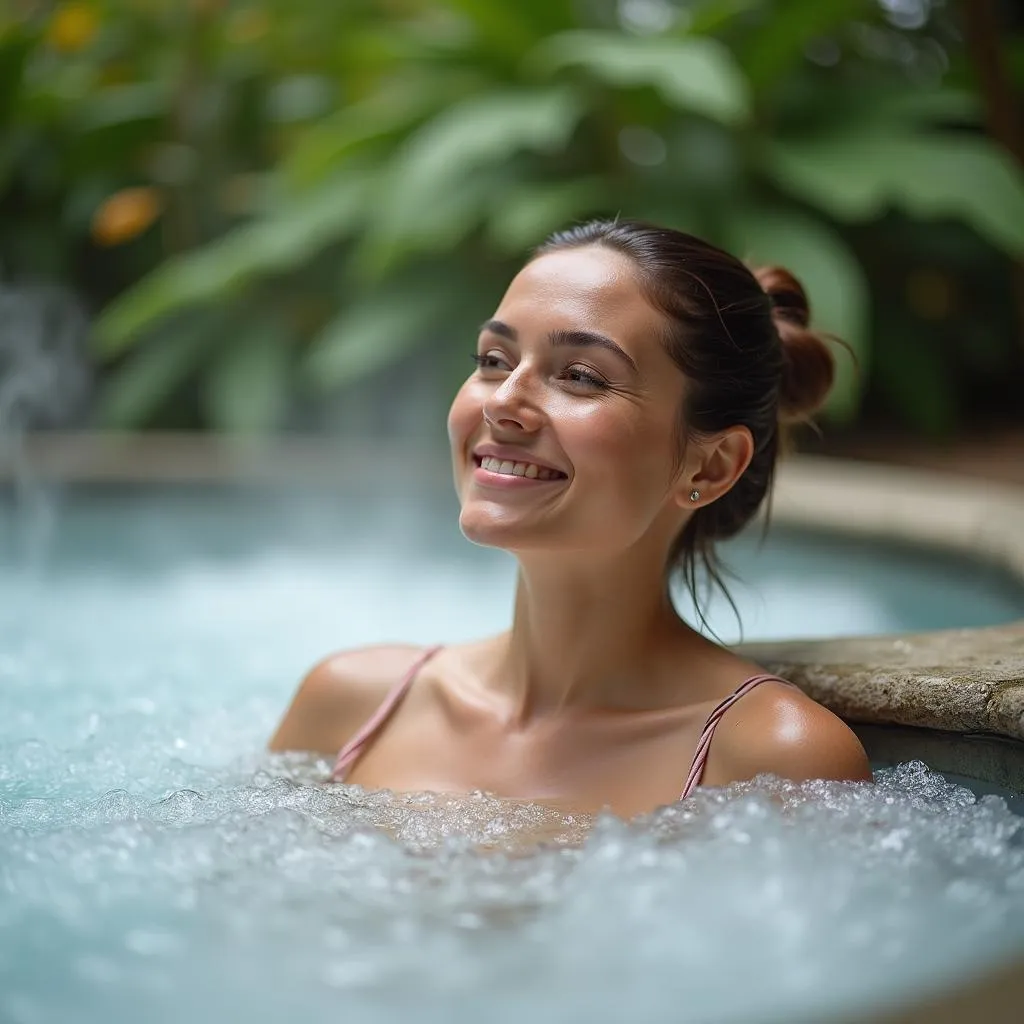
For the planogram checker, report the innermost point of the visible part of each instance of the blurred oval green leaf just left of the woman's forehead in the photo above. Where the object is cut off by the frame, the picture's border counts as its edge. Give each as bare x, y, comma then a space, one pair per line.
374, 332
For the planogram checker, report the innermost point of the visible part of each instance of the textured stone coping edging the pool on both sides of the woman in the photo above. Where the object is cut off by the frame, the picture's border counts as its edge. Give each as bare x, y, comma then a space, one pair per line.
961, 680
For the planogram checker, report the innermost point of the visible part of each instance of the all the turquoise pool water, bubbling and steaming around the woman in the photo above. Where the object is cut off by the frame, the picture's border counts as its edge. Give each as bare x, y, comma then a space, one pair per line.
158, 866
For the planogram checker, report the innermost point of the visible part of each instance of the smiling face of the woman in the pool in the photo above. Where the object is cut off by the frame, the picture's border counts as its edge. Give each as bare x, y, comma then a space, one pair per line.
565, 437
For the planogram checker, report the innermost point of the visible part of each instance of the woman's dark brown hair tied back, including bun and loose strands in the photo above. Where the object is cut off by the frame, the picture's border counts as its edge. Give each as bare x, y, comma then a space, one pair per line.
743, 339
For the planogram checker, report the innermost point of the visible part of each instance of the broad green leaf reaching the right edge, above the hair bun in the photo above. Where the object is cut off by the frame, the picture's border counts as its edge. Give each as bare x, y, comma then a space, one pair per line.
856, 175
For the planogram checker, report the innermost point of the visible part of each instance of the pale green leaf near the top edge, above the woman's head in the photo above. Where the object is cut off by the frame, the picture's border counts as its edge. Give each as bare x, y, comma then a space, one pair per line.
696, 74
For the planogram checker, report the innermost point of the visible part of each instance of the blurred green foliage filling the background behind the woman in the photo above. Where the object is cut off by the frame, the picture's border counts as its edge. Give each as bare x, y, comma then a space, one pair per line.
267, 202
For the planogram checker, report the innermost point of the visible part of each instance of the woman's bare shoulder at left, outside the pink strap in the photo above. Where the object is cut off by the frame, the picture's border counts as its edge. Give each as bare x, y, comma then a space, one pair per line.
339, 695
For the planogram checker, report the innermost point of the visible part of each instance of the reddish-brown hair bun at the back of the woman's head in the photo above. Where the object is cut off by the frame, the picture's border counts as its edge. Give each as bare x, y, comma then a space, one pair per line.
808, 368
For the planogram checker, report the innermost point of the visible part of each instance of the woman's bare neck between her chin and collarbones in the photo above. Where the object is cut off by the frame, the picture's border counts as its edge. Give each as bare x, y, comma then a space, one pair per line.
584, 632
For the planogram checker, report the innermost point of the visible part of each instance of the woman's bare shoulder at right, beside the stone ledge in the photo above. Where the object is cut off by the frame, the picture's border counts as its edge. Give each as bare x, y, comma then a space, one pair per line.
779, 730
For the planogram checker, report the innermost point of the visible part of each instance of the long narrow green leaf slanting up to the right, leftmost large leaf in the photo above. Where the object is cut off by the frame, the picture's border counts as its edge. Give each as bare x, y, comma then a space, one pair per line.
280, 243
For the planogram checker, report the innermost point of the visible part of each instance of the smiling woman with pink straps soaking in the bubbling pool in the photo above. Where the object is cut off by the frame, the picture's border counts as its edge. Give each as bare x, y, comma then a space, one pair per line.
624, 416
